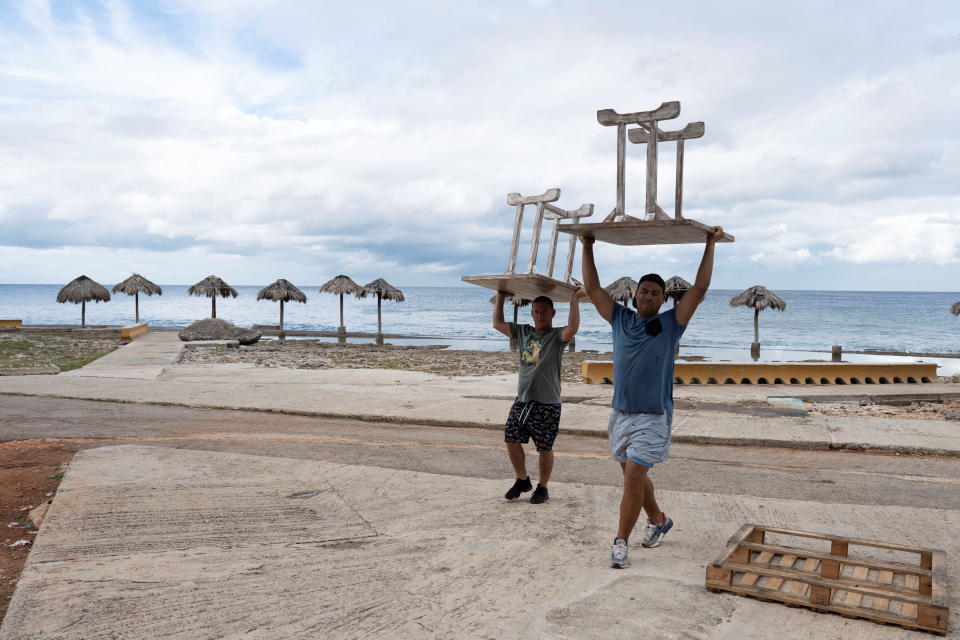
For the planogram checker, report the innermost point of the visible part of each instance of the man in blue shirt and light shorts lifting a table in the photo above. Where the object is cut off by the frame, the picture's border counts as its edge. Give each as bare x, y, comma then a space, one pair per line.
640, 424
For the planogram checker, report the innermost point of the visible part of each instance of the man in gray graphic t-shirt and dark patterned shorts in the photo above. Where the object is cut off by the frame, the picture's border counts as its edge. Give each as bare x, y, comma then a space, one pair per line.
536, 411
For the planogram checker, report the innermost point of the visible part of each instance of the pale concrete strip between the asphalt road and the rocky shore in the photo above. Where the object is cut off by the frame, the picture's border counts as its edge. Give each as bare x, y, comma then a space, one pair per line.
144, 372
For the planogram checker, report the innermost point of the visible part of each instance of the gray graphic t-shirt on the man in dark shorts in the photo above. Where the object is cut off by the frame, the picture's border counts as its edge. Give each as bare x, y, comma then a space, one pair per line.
540, 355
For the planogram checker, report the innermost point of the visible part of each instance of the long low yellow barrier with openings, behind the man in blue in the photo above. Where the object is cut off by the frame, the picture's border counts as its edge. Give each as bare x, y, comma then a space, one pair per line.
598, 372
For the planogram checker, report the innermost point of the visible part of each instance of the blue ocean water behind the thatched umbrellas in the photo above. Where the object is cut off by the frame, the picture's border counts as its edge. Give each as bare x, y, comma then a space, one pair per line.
812, 322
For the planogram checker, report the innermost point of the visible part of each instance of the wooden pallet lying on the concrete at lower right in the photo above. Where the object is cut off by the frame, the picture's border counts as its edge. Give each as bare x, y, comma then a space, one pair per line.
905, 594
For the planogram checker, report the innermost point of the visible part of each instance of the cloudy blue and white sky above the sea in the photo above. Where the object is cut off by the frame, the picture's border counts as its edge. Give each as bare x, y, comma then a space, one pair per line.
257, 139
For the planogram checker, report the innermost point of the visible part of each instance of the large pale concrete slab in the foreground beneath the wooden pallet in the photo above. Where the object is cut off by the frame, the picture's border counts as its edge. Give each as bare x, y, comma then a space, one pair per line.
146, 542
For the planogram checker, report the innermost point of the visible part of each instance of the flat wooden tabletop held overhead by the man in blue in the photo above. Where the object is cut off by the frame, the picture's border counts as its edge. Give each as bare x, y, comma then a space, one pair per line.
645, 232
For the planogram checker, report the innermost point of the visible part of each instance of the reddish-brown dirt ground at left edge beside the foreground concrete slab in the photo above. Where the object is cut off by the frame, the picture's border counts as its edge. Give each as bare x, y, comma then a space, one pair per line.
30, 473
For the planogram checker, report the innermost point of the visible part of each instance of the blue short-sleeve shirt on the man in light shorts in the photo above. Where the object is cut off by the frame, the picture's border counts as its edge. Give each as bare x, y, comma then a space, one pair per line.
643, 360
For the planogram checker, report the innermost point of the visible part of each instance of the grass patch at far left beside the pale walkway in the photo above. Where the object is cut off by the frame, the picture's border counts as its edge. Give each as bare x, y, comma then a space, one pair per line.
66, 351
